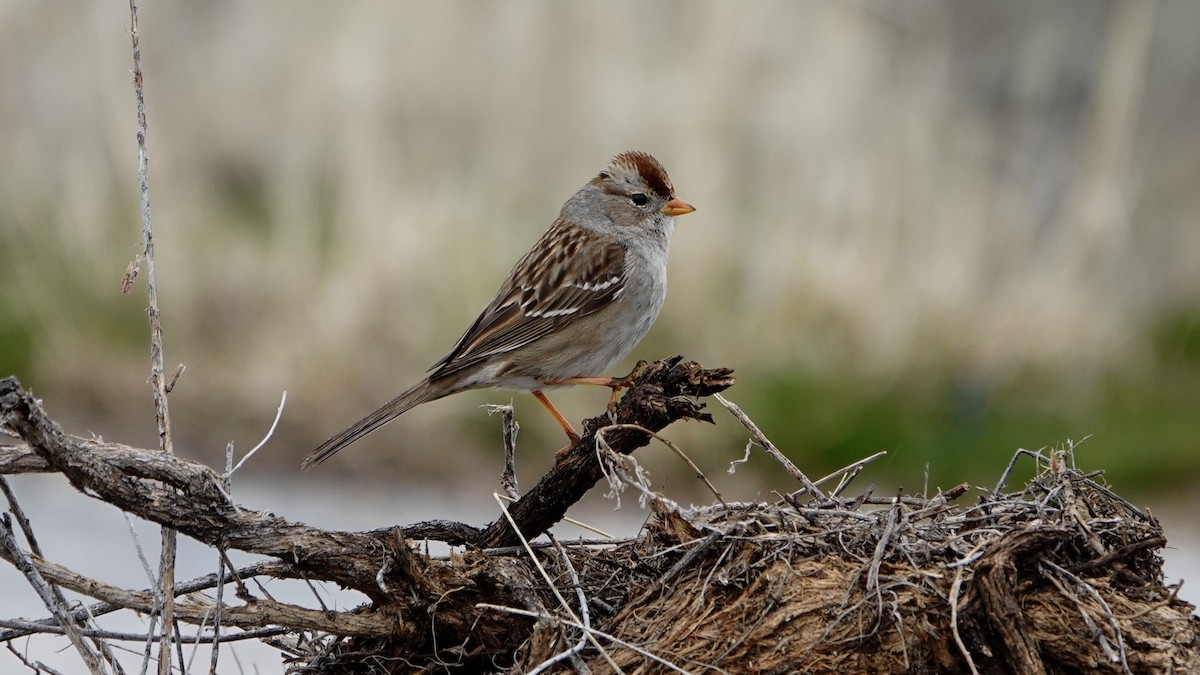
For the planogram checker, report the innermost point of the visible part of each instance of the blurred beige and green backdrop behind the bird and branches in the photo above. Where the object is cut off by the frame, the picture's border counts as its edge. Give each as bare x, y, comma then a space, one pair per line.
943, 230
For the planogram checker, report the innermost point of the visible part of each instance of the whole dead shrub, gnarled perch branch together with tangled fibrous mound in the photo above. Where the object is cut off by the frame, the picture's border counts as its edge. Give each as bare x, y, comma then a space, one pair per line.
1059, 577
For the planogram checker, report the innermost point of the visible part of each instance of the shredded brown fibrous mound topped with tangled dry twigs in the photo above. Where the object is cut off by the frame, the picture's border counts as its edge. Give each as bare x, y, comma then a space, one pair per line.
1061, 576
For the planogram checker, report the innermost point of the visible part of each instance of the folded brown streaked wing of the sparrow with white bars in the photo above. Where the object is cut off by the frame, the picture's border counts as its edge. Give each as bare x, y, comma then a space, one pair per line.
568, 274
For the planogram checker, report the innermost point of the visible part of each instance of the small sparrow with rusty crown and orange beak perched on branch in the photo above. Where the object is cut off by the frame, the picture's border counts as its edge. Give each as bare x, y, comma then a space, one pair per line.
575, 304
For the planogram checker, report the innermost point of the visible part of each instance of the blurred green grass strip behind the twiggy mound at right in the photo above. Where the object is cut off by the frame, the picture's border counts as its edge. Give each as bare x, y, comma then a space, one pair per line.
1139, 427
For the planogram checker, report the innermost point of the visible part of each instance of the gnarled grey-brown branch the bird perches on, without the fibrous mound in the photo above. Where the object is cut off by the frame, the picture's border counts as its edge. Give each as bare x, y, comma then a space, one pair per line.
406, 589
